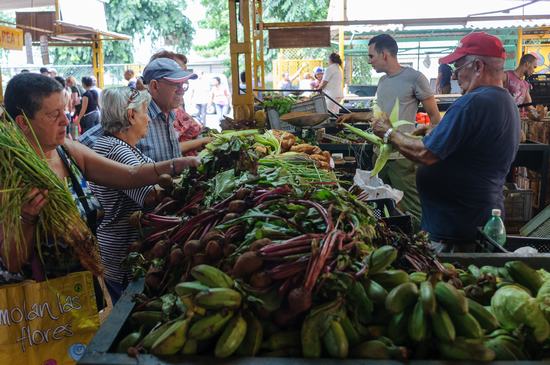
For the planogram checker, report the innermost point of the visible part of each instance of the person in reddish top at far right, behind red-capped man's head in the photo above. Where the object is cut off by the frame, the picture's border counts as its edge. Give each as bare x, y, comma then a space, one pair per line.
514, 80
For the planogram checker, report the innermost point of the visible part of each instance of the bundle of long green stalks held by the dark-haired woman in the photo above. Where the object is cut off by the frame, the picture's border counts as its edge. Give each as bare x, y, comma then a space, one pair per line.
21, 169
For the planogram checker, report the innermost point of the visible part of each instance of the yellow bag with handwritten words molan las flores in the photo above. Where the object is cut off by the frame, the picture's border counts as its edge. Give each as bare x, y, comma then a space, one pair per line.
49, 322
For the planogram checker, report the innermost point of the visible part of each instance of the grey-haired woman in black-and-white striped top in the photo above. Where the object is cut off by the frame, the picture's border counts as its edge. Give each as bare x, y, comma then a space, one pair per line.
124, 119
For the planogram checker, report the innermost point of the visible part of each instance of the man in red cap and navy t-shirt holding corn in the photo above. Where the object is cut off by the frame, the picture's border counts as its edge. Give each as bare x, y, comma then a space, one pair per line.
465, 159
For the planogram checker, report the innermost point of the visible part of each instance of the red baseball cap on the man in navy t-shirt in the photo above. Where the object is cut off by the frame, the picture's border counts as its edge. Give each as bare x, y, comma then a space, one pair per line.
476, 44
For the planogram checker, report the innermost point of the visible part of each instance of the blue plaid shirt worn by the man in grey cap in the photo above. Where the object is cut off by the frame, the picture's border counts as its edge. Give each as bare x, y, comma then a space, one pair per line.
161, 142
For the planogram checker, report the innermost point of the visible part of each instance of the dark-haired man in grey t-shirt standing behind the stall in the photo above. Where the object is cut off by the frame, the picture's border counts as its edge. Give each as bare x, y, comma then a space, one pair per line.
409, 87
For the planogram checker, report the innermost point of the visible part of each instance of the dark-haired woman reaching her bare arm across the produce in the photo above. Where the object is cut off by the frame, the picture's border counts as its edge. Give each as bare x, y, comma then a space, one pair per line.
40, 99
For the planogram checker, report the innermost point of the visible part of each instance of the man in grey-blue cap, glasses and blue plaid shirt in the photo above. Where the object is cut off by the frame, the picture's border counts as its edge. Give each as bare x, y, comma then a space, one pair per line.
166, 82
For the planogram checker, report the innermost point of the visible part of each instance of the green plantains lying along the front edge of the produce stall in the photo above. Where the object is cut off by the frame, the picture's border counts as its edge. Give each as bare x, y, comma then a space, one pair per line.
383, 313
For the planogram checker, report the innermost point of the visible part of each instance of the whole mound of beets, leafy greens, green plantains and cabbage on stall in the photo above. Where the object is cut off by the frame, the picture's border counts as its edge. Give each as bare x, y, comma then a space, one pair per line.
279, 265
